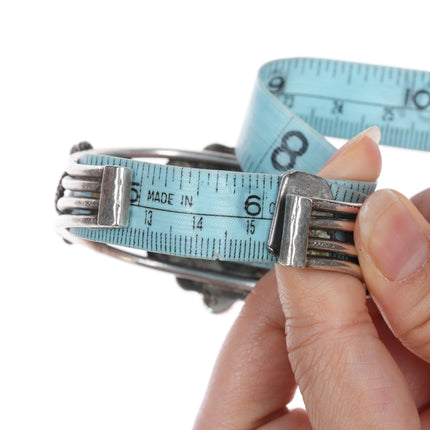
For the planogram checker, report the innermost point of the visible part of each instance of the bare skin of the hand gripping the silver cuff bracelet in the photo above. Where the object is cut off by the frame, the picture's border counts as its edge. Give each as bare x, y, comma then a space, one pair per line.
359, 363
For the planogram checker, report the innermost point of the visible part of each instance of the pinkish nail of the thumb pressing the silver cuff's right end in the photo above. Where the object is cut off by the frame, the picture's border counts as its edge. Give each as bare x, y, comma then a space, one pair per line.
390, 235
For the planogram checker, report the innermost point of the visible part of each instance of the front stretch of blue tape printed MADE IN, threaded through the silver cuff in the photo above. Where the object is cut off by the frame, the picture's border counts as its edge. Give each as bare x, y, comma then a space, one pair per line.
238, 225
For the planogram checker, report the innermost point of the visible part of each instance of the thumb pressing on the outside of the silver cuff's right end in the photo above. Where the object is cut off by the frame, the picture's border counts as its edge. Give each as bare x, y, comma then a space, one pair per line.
392, 239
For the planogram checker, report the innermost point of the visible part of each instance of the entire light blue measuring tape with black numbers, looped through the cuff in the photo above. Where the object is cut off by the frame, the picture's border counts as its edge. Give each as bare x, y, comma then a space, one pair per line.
211, 214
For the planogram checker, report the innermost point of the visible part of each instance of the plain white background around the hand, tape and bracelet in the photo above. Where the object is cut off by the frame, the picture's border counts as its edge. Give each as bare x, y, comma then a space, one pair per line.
88, 342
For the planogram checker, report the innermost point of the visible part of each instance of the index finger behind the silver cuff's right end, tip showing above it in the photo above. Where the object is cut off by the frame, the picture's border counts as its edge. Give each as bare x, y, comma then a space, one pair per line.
346, 376
